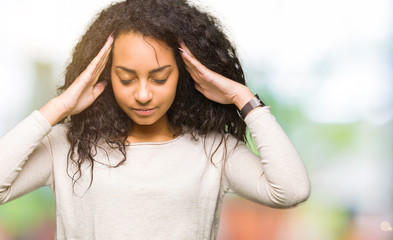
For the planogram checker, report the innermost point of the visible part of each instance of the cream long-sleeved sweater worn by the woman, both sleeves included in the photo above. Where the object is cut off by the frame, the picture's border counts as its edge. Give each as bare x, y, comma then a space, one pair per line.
165, 190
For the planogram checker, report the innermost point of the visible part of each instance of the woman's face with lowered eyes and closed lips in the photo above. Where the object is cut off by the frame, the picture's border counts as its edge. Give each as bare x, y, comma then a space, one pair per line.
144, 78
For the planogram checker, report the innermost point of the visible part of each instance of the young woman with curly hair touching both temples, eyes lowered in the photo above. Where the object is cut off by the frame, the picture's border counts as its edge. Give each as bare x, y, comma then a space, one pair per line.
144, 138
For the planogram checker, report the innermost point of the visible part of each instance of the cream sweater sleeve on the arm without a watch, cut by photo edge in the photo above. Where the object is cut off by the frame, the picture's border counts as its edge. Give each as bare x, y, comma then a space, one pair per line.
25, 158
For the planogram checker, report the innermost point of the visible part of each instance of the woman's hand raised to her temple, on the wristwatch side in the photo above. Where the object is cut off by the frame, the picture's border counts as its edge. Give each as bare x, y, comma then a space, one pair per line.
213, 85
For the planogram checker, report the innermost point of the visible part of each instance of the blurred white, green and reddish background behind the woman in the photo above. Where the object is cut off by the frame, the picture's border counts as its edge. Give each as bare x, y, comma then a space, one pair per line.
325, 67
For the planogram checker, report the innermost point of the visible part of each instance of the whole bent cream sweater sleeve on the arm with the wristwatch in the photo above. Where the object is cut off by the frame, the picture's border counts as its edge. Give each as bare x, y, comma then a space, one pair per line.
278, 177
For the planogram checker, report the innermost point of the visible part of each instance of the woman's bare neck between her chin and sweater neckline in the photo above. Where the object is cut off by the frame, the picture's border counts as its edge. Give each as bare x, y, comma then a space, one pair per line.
159, 131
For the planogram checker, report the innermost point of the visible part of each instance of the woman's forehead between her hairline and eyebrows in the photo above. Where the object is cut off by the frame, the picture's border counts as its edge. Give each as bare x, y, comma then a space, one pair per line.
140, 52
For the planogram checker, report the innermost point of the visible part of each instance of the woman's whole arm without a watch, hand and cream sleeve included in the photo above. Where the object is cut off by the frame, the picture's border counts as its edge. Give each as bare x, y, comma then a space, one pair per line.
25, 151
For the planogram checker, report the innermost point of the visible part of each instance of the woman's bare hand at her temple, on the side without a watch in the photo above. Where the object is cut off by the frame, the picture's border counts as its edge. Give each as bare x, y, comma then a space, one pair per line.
82, 92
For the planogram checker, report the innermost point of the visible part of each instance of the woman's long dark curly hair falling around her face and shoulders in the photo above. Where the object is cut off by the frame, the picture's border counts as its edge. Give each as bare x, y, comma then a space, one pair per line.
170, 21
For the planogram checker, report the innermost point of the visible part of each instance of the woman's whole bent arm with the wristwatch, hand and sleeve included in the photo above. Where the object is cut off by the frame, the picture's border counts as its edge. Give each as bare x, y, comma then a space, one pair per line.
278, 178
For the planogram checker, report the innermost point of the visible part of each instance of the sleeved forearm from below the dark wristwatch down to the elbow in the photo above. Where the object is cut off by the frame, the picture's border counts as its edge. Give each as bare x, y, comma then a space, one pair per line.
287, 181
